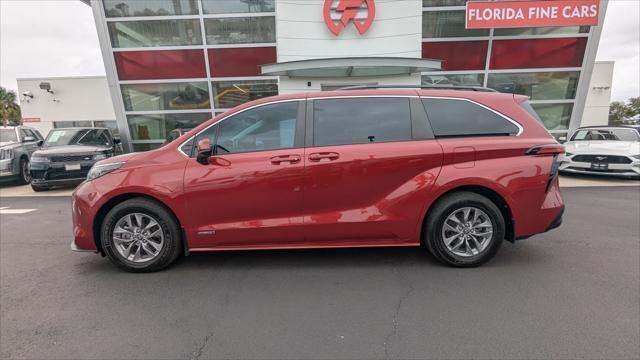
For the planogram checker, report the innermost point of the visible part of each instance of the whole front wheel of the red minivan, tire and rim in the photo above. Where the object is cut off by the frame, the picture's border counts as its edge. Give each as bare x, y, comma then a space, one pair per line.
129, 213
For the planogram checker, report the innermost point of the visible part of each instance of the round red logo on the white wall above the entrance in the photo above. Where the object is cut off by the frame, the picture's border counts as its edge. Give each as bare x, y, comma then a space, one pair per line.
360, 12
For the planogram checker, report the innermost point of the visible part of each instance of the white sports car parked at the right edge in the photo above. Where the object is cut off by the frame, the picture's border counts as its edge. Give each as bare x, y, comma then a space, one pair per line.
605, 150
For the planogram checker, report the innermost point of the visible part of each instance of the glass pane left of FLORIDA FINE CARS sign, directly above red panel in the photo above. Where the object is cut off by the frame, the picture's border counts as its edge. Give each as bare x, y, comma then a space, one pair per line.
439, 24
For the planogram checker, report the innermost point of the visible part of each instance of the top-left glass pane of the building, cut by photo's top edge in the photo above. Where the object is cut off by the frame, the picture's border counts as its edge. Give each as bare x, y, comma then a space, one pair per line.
126, 8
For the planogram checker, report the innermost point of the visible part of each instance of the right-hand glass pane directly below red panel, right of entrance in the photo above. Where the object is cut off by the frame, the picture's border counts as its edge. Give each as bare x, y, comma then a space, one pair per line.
538, 85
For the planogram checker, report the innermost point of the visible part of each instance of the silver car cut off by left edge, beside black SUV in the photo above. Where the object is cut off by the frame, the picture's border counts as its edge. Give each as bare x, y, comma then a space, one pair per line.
17, 143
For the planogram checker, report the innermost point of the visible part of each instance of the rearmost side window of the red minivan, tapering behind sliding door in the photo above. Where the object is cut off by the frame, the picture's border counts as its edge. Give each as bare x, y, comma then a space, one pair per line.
451, 118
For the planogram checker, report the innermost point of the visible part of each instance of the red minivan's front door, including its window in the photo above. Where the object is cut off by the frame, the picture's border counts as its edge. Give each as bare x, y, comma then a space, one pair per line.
251, 194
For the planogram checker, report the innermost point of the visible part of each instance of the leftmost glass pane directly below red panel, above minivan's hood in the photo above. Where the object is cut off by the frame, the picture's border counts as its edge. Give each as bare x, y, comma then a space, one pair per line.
166, 96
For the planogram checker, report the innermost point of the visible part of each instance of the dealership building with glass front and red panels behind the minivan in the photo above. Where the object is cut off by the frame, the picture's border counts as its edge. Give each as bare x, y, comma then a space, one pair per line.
176, 63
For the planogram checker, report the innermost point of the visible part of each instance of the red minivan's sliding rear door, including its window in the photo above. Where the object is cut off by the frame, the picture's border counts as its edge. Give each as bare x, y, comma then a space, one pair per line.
370, 165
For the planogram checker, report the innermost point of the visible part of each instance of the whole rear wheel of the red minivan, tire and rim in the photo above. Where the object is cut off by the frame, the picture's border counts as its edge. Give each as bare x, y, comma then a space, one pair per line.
476, 243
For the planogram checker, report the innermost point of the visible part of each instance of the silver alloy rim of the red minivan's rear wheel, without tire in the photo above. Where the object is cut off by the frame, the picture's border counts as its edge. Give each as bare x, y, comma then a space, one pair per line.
467, 231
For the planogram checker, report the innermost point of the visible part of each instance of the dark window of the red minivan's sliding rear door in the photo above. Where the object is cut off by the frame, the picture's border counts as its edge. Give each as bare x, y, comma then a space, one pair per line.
360, 120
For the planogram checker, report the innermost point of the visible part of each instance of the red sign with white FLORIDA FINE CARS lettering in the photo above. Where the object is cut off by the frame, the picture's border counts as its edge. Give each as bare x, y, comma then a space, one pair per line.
513, 14
